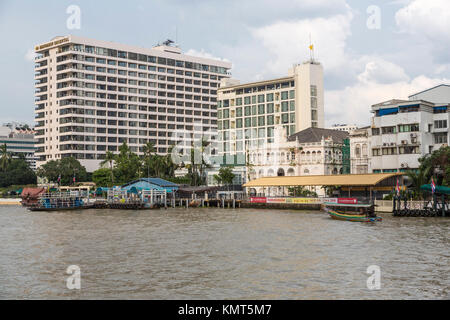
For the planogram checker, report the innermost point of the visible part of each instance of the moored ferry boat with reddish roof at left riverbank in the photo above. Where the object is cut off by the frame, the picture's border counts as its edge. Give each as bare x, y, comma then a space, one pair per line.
57, 201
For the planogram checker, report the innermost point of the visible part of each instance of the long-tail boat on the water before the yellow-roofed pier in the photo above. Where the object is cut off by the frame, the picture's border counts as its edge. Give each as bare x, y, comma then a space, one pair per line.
352, 212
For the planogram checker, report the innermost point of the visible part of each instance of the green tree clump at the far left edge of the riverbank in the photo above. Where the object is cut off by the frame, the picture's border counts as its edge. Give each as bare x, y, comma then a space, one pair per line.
17, 172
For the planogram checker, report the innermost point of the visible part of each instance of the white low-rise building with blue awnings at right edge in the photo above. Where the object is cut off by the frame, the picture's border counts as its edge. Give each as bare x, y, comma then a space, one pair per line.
402, 131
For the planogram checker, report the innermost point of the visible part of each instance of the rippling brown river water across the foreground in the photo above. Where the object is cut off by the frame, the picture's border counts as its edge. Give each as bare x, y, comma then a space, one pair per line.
219, 254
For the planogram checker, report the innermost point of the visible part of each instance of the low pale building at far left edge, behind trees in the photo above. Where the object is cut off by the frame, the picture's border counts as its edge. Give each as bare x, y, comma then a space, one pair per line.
19, 141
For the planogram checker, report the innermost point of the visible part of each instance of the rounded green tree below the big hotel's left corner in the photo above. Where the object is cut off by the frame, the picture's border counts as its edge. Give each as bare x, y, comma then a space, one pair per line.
66, 167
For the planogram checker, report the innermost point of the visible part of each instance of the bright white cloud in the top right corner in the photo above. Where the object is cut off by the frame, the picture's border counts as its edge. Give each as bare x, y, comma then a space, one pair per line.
430, 18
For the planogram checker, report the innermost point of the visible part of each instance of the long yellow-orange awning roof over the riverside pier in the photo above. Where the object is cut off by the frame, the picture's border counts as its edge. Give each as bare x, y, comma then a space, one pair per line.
370, 179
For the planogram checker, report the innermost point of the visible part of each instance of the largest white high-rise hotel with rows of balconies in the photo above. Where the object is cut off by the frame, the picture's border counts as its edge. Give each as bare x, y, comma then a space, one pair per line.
91, 96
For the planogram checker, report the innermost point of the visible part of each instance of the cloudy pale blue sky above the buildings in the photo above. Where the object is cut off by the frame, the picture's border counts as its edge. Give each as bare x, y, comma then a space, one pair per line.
371, 51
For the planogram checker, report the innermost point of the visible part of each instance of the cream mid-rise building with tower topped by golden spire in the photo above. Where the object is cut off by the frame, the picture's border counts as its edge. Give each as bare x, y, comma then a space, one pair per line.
248, 113
